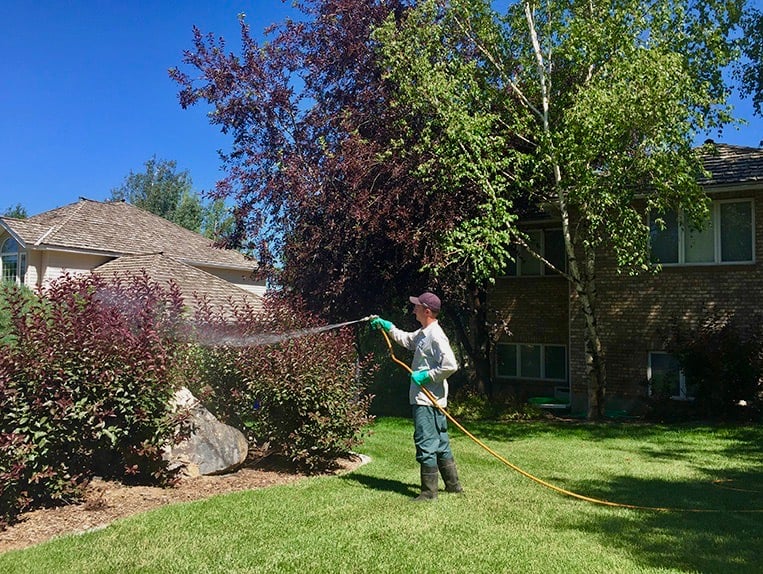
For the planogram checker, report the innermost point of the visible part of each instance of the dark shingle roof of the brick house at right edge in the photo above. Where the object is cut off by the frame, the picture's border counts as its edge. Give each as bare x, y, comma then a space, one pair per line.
730, 164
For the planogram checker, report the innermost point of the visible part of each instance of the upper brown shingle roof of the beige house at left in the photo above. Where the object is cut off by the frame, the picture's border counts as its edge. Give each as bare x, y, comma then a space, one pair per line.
121, 228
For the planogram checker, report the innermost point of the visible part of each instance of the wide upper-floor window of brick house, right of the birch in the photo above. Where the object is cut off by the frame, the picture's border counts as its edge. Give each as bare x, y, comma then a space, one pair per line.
728, 237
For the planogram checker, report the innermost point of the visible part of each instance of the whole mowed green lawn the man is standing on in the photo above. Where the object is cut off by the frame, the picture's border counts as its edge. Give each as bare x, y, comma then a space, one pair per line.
363, 521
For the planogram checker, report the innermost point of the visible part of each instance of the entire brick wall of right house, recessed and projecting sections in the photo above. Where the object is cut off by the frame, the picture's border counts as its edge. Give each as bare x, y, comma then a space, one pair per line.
636, 316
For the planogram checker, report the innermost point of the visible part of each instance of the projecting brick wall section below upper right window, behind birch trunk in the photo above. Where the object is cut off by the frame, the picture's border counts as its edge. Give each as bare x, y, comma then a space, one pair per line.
637, 314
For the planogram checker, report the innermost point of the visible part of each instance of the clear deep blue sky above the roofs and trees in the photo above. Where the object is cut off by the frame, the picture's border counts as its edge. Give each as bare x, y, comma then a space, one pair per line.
85, 95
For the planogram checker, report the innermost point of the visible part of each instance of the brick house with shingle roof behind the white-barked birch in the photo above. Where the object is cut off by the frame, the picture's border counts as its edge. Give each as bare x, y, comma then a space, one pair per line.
718, 268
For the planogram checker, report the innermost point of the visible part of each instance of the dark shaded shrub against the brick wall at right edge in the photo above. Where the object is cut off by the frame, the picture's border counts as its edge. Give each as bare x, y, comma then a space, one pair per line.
722, 360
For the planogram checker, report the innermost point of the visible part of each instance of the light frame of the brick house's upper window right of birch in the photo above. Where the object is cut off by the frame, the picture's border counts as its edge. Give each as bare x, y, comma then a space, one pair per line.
717, 230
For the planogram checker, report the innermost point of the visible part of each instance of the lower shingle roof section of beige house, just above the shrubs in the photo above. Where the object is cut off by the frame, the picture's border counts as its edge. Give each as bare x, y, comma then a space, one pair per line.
161, 268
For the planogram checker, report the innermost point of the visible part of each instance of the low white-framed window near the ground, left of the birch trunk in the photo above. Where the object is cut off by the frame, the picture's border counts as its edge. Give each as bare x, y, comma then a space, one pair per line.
531, 361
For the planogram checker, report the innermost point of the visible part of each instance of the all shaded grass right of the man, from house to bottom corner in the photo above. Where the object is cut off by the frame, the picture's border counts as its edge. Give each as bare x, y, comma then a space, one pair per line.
716, 521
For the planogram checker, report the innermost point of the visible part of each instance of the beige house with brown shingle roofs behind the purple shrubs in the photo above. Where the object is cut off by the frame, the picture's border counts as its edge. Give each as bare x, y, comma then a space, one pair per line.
118, 238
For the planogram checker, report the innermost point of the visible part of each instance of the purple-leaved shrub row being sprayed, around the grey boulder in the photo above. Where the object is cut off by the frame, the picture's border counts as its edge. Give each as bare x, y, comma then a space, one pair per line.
87, 370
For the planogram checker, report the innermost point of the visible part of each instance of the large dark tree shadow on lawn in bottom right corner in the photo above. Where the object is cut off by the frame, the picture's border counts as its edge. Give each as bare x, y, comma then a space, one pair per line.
712, 527
